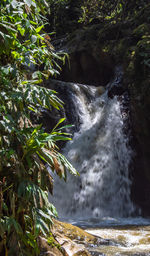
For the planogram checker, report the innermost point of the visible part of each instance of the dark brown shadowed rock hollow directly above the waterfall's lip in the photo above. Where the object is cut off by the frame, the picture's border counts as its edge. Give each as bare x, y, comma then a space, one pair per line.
85, 68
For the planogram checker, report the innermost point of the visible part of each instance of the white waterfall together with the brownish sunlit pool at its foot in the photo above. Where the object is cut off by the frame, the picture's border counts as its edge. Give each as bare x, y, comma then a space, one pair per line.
99, 200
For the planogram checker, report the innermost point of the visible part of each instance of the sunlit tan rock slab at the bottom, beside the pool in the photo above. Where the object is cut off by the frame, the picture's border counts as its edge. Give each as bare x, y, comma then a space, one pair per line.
71, 241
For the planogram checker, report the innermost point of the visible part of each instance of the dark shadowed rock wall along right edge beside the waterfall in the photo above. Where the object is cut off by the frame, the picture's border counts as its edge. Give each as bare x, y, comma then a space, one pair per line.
138, 80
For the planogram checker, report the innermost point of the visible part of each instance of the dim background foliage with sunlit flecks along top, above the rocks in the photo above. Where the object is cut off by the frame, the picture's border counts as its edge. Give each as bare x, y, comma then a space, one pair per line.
67, 15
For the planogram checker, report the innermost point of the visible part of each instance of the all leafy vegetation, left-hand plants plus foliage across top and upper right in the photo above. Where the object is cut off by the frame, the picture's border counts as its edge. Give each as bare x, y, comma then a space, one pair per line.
27, 57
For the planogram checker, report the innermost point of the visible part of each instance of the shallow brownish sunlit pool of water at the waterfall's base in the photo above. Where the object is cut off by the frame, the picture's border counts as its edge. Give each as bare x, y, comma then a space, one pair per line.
125, 236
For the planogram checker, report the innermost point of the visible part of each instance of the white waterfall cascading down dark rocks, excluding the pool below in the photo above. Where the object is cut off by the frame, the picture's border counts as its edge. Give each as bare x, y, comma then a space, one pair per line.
101, 153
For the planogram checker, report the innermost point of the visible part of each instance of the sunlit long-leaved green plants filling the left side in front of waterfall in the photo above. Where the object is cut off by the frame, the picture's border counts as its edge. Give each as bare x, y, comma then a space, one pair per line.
26, 58
